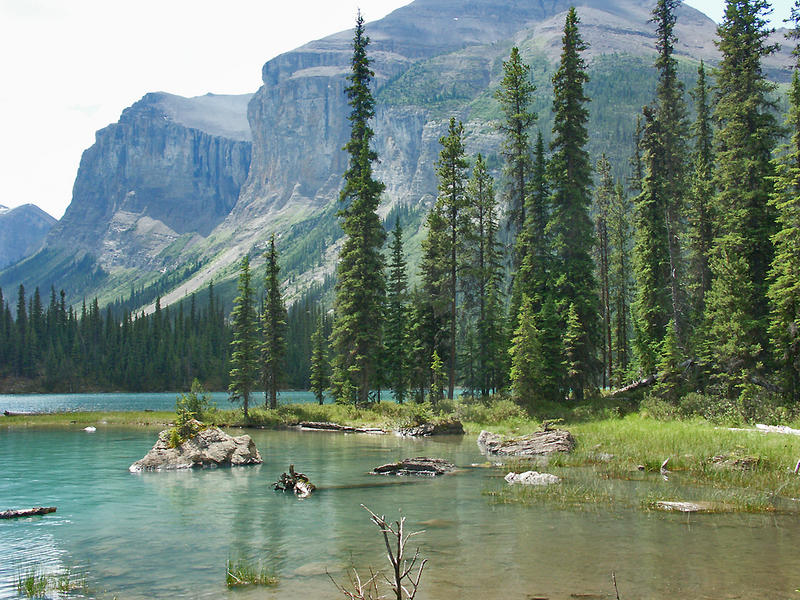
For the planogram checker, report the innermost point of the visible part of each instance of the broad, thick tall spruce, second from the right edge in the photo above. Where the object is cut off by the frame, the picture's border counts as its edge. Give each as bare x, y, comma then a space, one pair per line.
736, 305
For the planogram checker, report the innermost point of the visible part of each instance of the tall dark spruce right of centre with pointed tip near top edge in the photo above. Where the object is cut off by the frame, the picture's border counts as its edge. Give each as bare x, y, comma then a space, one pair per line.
570, 227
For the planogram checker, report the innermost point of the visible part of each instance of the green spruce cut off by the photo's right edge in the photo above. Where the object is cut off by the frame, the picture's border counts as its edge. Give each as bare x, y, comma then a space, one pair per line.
784, 289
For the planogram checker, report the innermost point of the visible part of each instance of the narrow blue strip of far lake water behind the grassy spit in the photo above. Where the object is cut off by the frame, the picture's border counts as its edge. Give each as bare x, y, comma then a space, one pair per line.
116, 401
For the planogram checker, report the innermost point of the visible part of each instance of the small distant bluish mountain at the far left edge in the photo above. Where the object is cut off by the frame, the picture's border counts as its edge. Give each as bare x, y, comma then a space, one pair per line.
22, 231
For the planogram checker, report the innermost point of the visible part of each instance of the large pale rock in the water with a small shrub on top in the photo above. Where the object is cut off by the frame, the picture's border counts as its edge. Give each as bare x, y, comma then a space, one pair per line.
210, 447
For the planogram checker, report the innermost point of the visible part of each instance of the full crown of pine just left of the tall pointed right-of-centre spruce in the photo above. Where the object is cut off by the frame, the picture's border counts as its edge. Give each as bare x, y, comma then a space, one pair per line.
515, 96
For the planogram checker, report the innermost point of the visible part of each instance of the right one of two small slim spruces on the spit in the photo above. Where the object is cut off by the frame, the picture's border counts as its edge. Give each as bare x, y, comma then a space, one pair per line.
273, 331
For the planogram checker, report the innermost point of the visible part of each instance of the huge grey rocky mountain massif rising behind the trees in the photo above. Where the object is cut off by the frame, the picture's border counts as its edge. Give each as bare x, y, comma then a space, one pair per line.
173, 195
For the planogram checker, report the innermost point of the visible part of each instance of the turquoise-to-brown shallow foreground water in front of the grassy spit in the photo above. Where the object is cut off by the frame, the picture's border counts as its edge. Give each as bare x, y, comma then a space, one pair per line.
168, 535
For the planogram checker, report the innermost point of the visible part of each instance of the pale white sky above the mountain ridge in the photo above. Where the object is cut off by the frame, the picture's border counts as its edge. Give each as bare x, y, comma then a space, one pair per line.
70, 67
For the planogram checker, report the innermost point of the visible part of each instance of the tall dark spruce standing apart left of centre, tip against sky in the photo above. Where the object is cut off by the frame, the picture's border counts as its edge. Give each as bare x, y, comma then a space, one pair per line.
360, 285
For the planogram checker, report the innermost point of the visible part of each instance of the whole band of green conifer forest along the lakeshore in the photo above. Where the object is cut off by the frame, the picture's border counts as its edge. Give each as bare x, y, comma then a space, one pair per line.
547, 280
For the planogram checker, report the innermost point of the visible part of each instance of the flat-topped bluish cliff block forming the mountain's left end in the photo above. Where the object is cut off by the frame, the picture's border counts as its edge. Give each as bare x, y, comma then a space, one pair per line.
170, 167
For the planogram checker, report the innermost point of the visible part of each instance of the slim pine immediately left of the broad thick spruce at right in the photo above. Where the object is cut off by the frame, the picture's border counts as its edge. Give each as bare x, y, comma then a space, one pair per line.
700, 233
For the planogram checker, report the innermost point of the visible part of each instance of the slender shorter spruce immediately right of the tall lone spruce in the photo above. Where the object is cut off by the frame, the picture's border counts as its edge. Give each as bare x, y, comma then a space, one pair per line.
397, 319
